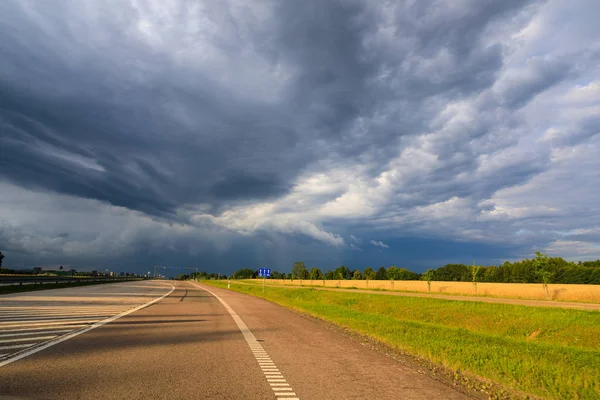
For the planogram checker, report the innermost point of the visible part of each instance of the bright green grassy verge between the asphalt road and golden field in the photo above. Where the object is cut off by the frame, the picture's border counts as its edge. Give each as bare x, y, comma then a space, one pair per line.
552, 353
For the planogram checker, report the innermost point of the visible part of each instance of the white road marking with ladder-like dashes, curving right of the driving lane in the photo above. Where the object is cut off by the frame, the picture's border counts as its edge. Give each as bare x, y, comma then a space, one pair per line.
277, 382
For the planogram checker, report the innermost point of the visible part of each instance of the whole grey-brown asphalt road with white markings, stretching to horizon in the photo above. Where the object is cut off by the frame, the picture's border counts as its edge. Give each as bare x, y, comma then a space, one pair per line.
189, 345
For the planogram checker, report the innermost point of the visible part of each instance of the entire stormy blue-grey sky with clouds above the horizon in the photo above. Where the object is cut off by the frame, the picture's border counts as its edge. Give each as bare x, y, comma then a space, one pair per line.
244, 134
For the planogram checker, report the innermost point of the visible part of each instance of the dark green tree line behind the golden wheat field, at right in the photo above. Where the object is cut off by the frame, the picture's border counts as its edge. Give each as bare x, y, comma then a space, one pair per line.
540, 269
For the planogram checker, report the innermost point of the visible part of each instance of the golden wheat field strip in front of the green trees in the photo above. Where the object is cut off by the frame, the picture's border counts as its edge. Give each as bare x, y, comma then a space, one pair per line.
564, 292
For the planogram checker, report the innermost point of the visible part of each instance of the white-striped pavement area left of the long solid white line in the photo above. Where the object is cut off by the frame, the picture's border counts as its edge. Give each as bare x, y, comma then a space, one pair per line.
33, 320
